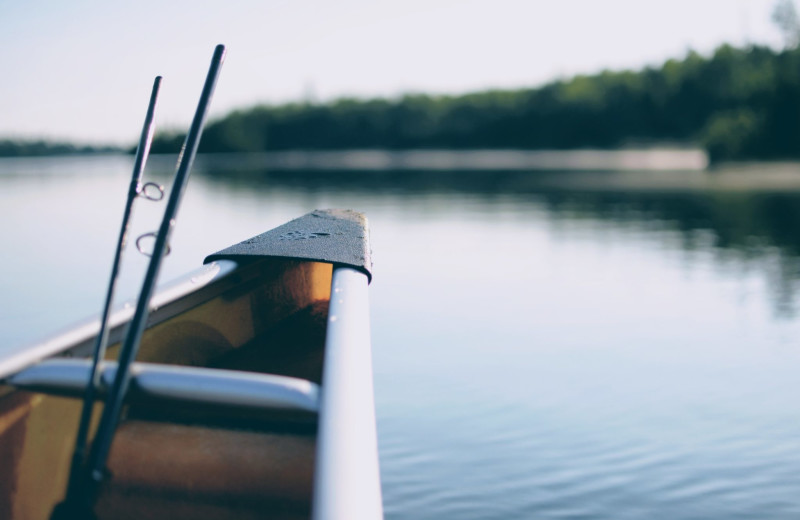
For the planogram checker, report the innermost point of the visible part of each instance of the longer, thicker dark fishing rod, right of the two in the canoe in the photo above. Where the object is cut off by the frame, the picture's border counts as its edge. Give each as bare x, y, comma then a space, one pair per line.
96, 463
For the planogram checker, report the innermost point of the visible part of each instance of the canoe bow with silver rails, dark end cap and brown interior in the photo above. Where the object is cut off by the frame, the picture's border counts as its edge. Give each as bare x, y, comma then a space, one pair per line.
251, 395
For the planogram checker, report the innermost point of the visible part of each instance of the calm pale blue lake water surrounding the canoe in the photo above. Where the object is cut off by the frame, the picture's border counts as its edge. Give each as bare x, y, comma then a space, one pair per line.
553, 345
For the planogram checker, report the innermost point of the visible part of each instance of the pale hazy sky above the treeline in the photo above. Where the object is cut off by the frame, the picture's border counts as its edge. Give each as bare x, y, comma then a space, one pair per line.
83, 69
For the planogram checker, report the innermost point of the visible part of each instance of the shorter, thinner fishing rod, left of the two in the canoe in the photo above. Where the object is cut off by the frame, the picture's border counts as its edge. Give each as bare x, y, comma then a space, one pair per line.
135, 190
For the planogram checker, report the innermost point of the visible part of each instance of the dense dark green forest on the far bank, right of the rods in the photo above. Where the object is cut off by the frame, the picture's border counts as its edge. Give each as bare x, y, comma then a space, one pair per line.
737, 103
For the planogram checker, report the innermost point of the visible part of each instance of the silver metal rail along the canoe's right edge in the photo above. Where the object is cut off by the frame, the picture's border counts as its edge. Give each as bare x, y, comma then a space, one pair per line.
347, 474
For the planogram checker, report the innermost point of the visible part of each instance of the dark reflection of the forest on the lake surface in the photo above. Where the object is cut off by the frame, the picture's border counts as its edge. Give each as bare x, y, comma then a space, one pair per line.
742, 228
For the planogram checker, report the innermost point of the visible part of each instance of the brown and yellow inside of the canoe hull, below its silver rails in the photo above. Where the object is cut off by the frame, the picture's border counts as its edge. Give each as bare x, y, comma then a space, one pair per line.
180, 462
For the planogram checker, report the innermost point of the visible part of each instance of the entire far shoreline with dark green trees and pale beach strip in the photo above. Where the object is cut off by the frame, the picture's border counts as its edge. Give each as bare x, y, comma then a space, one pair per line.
736, 104
